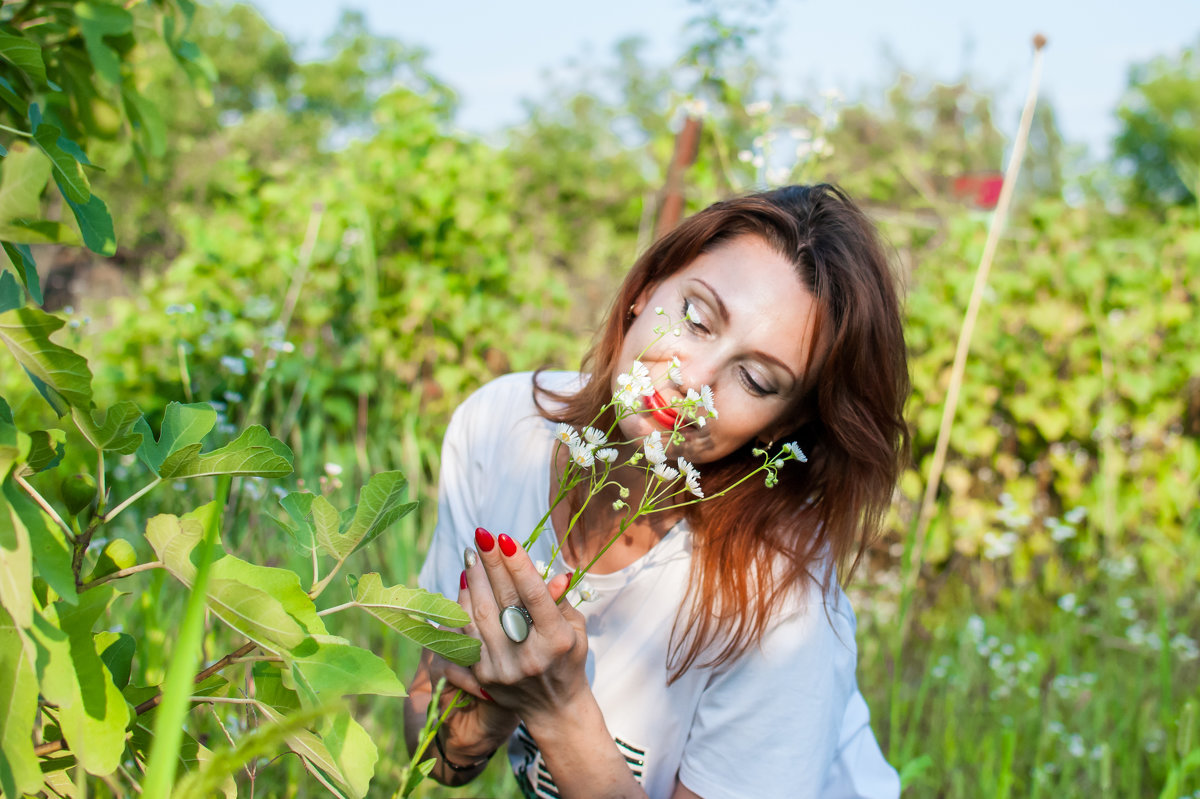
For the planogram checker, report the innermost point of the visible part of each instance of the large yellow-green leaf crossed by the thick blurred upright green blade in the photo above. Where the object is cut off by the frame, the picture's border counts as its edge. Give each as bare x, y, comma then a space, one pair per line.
266, 605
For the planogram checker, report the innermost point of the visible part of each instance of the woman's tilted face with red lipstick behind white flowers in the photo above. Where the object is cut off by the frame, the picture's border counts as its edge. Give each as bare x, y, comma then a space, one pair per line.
749, 344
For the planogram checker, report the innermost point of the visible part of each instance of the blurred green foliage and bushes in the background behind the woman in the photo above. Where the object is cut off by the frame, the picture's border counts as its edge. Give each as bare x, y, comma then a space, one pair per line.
320, 250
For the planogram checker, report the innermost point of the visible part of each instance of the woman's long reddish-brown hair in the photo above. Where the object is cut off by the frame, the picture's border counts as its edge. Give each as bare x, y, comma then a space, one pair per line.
755, 545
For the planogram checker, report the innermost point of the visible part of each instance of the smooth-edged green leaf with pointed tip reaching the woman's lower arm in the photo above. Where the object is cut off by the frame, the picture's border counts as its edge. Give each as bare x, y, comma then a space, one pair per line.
334, 668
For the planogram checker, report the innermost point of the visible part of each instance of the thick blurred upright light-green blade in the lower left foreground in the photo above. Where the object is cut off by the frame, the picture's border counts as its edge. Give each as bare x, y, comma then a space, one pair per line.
169, 730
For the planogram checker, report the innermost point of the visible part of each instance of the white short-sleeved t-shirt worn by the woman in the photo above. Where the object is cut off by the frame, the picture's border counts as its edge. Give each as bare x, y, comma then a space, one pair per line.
783, 720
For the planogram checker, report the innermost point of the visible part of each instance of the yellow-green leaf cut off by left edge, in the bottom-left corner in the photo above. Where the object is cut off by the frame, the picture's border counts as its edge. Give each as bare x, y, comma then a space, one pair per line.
20, 772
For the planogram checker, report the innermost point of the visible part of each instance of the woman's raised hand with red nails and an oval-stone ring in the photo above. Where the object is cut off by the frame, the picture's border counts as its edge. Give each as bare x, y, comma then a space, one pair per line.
542, 677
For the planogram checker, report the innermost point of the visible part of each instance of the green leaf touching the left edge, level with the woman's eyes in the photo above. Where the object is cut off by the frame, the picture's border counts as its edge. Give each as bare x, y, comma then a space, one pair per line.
62, 376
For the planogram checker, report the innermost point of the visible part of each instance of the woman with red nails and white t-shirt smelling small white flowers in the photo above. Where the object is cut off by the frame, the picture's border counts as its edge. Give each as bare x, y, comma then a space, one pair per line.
717, 657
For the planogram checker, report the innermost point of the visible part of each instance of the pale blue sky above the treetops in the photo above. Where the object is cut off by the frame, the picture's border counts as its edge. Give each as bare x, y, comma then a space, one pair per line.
495, 55
